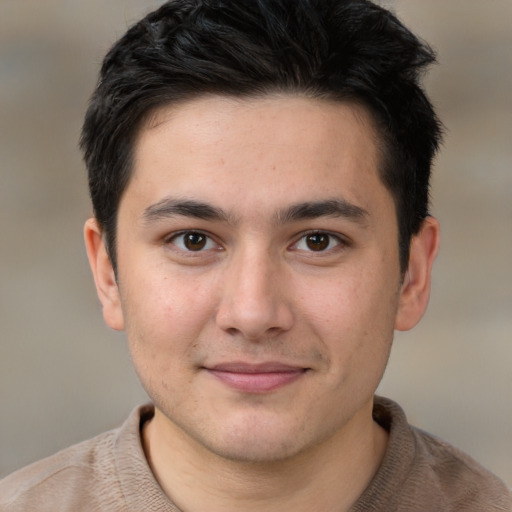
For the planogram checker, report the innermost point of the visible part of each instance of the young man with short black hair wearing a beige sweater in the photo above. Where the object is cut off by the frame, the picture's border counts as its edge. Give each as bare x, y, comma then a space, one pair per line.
259, 172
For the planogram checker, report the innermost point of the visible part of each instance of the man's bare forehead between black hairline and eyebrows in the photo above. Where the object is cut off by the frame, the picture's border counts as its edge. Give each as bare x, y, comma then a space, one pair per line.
295, 147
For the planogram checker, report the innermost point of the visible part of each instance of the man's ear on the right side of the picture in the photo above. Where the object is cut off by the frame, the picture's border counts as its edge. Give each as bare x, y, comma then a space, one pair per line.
415, 290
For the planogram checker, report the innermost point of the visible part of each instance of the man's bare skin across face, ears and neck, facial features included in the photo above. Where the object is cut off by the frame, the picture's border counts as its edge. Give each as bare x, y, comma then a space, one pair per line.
259, 287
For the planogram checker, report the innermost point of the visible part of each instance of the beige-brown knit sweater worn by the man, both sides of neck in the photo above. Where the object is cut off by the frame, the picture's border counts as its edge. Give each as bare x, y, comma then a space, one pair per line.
109, 473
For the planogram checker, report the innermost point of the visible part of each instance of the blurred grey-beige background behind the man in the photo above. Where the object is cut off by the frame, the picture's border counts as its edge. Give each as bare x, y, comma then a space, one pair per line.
65, 377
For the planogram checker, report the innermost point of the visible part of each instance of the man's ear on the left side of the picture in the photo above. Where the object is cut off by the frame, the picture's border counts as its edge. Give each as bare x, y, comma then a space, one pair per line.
104, 276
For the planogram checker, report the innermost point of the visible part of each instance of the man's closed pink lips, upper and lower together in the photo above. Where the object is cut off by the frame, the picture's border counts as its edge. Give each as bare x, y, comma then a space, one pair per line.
256, 378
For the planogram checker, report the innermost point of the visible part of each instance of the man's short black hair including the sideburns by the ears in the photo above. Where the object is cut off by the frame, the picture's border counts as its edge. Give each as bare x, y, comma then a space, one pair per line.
343, 50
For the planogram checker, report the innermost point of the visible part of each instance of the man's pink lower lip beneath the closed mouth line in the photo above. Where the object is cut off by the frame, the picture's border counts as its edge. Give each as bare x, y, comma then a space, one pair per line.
257, 382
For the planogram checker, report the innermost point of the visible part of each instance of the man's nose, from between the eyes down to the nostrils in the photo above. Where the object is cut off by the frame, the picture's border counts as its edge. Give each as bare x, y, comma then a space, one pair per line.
254, 301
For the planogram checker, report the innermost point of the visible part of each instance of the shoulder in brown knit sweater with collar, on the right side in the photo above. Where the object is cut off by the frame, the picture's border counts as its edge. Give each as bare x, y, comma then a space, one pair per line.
421, 472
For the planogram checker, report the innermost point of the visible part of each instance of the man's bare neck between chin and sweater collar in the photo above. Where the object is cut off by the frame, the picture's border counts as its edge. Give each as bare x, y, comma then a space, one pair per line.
330, 476
